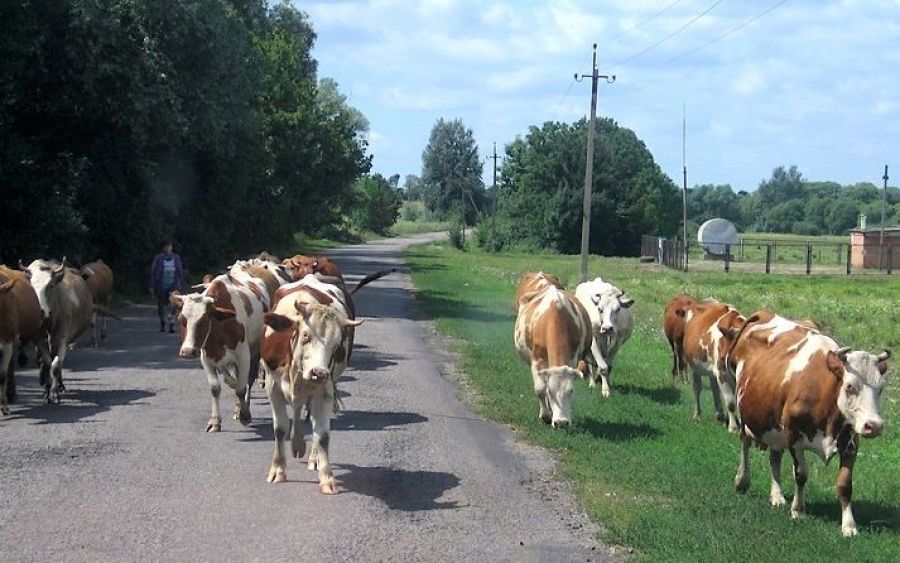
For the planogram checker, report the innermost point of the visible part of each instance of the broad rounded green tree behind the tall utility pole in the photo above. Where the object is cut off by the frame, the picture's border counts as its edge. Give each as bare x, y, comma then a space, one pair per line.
541, 191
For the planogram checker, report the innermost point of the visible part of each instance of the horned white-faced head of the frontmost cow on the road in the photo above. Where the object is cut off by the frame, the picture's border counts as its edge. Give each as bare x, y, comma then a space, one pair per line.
319, 338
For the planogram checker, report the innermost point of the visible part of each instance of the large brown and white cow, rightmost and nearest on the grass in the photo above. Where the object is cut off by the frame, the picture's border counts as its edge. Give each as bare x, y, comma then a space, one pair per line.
797, 391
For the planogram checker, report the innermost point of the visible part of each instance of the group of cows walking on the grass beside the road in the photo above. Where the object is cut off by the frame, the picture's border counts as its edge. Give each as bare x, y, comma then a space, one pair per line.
785, 385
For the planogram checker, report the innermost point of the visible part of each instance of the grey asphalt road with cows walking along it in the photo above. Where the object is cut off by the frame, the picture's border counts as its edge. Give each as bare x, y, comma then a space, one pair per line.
123, 469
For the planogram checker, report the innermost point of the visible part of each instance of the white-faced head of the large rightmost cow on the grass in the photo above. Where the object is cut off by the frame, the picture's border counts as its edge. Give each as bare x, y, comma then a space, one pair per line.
862, 376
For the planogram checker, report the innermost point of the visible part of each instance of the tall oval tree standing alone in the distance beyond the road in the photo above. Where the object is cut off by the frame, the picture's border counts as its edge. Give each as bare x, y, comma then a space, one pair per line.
451, 170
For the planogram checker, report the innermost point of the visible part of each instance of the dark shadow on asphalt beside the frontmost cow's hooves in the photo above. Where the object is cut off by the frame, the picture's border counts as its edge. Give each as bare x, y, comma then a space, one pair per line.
409, 491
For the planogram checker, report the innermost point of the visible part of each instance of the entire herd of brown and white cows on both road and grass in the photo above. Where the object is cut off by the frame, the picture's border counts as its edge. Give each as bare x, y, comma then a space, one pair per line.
780, 383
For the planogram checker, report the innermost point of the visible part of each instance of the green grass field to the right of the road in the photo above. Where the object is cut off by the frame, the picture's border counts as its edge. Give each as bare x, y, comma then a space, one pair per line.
655, 479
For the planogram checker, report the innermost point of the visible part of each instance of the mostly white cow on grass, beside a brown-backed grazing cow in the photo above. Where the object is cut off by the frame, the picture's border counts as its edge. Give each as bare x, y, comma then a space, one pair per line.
611, 323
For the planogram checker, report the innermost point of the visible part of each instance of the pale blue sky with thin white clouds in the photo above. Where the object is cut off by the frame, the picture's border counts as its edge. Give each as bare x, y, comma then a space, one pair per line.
762, 83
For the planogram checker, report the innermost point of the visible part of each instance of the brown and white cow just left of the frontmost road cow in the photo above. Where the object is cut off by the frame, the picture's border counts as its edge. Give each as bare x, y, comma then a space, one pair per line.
223, 326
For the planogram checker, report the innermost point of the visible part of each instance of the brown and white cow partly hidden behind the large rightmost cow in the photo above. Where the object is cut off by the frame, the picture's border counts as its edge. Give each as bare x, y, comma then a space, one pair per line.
709, 330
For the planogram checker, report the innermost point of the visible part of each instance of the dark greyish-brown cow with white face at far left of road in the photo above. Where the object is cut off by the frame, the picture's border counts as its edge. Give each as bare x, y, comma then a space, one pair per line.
67, 308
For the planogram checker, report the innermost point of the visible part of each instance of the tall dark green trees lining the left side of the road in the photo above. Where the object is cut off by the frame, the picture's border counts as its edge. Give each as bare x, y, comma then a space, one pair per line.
128, 122
